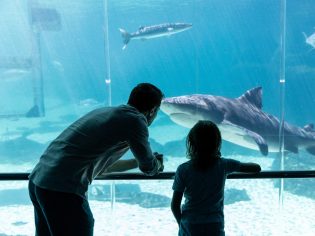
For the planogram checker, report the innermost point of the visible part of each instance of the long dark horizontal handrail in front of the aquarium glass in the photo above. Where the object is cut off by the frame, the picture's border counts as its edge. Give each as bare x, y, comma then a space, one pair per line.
170, 175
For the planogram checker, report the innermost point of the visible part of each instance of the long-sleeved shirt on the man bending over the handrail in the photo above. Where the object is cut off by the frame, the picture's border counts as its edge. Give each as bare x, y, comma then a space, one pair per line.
90, 145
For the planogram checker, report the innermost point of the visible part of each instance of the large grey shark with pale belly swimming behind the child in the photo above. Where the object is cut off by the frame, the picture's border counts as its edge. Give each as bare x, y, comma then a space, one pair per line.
241, 121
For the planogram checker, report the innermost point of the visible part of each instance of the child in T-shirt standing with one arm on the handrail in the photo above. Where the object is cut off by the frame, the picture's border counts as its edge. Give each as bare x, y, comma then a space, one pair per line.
202, 180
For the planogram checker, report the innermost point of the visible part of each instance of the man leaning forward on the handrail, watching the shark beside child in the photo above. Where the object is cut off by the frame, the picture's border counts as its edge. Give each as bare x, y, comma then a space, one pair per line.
89, 147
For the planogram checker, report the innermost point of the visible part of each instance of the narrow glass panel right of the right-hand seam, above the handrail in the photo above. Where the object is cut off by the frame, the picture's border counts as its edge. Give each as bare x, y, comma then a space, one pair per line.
299, 98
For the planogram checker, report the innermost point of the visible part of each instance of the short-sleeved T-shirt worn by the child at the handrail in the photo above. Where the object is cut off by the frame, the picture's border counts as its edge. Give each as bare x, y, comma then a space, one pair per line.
203, 190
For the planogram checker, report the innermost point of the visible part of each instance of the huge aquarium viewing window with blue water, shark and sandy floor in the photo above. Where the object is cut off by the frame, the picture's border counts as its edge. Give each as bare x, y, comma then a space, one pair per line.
249, 66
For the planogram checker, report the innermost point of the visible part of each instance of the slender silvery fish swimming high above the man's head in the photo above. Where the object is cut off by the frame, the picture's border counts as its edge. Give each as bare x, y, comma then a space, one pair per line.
154, 31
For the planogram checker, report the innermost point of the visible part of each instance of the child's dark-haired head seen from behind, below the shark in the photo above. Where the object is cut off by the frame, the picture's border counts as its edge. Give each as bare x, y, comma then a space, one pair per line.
203, 144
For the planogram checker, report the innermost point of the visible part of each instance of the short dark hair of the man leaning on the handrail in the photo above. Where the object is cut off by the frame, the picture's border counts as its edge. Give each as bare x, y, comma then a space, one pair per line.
145, 97
